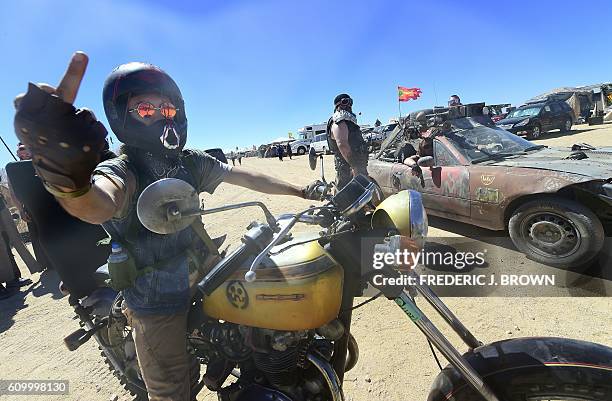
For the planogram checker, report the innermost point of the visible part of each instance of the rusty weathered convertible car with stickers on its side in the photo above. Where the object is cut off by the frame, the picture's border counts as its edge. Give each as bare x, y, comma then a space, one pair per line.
555, 203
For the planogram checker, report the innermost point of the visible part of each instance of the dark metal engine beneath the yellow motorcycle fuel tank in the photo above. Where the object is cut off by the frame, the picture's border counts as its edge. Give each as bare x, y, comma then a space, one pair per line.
266, 358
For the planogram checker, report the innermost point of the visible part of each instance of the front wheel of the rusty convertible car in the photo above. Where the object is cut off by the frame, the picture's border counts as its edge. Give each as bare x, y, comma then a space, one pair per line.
556, 232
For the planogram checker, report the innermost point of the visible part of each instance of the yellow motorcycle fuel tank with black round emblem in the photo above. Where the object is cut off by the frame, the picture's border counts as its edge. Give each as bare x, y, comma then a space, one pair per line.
299, 288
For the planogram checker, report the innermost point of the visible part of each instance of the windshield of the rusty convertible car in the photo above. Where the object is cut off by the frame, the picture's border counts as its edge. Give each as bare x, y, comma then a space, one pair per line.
485, 143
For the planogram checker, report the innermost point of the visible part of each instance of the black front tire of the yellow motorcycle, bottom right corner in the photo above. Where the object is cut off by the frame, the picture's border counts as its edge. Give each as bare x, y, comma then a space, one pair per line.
533, 369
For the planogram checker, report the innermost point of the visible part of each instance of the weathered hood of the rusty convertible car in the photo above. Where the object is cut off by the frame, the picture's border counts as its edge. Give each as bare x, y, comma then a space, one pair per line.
597, 165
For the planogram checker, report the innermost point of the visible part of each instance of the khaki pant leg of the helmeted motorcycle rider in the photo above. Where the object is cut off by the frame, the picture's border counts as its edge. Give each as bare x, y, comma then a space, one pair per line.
161, 348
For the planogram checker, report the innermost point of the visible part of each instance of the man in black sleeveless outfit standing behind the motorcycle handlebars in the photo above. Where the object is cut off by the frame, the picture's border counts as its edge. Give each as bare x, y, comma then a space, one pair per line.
346, 142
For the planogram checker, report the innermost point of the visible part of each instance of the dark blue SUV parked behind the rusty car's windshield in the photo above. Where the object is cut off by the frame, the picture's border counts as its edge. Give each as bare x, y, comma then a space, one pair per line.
534, 119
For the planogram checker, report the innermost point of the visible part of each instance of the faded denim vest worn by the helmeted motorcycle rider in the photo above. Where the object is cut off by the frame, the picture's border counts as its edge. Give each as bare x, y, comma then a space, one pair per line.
164, 291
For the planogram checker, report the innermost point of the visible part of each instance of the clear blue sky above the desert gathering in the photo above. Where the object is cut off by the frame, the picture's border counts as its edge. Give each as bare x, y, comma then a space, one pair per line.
253, 71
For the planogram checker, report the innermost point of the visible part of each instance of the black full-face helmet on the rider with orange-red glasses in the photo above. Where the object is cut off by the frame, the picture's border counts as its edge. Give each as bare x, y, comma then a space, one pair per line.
132, 79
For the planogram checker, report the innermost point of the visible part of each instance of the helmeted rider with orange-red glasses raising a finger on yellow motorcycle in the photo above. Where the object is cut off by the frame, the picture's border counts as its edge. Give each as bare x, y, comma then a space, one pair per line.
145, 110
